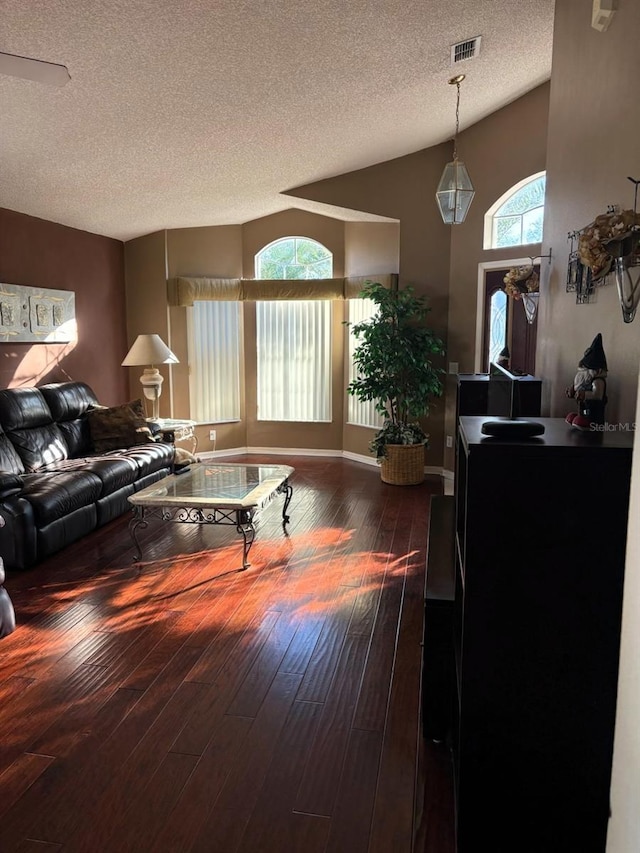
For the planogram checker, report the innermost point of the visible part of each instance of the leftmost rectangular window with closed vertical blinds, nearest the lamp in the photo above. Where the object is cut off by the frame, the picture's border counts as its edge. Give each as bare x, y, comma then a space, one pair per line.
214, 361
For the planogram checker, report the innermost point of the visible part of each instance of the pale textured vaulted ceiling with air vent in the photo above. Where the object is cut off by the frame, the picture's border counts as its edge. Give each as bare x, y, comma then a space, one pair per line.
203, 113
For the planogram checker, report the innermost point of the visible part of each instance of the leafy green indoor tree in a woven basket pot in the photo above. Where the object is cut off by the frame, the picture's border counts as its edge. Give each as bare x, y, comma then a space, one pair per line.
393, 360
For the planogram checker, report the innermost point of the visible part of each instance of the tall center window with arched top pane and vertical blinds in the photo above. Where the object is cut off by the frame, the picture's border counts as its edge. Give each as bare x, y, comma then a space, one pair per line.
293, 337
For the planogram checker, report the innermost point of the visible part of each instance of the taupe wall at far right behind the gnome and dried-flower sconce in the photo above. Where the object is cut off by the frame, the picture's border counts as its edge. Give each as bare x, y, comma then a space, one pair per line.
594, 125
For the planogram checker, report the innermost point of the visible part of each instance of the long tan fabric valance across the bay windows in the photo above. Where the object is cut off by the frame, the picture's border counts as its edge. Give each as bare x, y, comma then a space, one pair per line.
189, 289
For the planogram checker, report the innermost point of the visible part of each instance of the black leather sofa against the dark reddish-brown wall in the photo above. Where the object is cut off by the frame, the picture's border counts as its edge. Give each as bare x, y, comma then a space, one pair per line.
57, 481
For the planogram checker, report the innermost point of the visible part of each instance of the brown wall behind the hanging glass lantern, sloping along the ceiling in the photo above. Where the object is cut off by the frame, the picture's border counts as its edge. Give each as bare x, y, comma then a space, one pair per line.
439, 261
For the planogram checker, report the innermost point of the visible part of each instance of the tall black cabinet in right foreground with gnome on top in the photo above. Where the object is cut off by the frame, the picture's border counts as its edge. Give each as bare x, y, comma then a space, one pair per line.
540, 549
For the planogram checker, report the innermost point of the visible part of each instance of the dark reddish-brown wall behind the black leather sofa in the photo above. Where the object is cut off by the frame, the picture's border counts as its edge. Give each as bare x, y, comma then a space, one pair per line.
38, 253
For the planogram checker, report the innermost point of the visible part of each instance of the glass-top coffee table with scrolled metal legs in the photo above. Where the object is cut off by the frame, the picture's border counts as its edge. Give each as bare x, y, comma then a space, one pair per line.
213, 494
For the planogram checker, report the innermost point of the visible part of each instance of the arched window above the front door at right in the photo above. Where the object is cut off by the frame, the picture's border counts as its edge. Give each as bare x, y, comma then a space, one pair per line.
517, 217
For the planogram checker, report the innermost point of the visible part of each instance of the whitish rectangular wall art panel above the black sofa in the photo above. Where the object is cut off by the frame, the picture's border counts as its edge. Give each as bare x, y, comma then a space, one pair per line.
36, 315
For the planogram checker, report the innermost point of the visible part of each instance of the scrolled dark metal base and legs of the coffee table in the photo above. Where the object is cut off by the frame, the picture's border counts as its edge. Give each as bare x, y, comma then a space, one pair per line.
241, 519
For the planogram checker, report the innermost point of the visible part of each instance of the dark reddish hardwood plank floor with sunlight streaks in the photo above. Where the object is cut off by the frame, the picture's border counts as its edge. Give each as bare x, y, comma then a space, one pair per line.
184, 705
